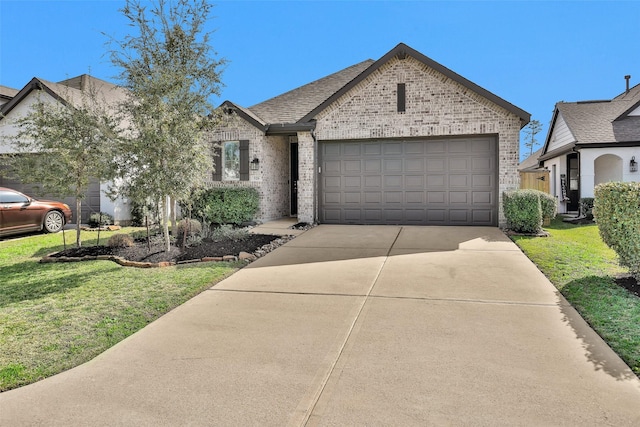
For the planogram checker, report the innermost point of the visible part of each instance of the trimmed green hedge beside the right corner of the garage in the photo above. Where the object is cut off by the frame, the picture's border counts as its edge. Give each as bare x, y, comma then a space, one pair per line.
526, 209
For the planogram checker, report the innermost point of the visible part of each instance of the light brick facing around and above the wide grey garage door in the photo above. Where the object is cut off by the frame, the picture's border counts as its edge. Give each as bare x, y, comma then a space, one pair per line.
436, 106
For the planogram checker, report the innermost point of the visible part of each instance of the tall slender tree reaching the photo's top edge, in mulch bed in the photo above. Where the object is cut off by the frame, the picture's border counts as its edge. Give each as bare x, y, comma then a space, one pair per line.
169, 69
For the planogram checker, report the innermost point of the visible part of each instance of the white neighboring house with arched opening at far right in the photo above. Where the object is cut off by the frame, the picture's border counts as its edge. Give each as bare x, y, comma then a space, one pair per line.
591, 142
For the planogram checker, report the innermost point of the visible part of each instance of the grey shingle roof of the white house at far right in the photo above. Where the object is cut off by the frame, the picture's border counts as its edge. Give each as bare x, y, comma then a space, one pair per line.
595, 121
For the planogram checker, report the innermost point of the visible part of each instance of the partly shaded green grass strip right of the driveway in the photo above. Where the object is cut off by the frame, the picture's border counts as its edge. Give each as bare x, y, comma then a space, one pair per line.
583, 268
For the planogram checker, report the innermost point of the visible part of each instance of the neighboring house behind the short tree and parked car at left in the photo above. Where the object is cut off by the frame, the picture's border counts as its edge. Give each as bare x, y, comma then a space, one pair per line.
66, 92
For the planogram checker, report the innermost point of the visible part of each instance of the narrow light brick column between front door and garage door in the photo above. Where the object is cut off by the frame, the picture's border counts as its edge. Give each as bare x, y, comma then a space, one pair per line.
307, 177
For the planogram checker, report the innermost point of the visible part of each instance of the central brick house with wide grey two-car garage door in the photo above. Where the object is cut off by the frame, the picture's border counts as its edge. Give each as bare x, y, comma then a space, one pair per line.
400, 140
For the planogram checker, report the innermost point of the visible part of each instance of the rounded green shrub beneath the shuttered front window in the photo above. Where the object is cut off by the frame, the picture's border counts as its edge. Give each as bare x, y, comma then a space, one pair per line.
224, 205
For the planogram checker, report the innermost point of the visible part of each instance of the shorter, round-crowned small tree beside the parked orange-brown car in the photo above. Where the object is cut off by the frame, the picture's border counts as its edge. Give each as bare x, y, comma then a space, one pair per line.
63, 145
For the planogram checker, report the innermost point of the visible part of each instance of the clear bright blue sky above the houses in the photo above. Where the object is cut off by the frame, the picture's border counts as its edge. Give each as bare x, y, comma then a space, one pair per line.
531, 53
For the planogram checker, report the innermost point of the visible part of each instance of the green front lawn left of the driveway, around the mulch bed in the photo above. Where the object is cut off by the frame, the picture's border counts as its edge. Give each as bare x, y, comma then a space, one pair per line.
58, 315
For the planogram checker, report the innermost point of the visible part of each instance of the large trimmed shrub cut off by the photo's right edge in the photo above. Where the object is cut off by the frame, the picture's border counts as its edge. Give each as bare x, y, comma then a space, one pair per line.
616, 209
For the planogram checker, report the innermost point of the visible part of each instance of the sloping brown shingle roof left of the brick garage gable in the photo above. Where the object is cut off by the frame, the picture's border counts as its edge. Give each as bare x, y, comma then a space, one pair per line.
291, 106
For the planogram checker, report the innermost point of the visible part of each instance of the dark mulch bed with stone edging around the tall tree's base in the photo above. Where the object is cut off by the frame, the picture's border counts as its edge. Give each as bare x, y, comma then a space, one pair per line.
206, 249
